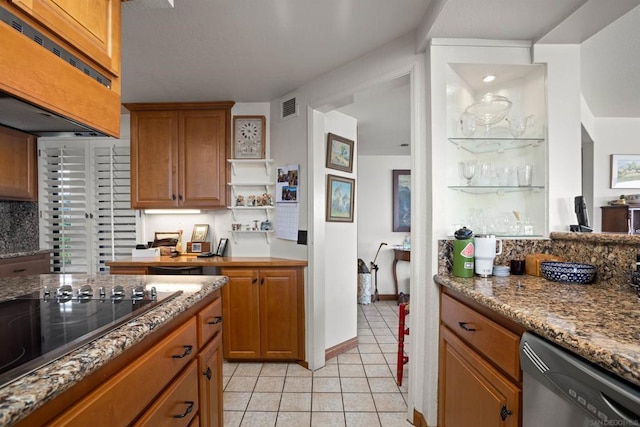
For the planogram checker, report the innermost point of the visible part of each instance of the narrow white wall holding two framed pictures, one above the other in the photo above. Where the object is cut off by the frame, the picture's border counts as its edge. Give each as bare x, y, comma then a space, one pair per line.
341, 250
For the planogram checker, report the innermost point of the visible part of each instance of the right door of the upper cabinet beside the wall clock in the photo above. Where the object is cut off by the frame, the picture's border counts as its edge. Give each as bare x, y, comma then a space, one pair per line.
203, 156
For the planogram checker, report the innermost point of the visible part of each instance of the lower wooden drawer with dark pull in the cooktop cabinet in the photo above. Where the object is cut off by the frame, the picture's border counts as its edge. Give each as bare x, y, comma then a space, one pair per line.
177, 405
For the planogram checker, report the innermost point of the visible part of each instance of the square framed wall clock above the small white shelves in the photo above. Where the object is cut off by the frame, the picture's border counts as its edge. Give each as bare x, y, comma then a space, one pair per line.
249, 137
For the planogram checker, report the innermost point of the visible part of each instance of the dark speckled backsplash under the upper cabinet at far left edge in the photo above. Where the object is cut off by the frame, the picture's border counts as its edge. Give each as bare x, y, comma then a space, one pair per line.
18, 227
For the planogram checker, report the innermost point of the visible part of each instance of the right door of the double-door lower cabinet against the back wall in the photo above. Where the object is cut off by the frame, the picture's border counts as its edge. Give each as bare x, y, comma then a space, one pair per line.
280, 316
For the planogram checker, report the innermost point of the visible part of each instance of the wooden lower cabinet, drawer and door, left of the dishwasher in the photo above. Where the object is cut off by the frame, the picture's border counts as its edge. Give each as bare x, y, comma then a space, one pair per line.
480, 381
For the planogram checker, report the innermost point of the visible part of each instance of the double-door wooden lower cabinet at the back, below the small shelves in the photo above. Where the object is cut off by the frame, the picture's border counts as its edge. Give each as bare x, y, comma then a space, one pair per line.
263, 311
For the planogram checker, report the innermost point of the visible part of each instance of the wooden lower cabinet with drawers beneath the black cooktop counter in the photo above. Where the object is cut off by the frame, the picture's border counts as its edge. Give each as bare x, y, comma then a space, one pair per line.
177, 382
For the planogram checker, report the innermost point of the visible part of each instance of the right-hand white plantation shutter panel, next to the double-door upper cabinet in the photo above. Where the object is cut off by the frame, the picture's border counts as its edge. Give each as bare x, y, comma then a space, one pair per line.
114, 222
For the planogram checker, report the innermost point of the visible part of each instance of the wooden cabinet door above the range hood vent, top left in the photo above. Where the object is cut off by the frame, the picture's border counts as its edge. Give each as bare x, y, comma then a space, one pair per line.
91, 27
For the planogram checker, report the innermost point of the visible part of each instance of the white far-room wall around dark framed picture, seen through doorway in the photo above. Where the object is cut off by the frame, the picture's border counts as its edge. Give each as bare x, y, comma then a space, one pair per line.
375, 219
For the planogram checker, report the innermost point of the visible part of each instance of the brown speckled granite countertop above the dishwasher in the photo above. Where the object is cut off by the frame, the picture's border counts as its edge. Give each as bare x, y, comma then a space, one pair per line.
599, 322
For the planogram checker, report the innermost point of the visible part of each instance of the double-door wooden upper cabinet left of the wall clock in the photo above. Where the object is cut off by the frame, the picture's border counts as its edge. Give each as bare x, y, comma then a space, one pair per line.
178, 155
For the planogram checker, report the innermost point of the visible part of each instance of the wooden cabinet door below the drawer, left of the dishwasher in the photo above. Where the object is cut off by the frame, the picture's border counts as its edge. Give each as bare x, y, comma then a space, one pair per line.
472, 392
